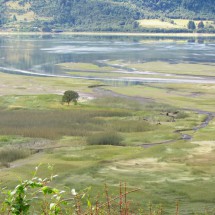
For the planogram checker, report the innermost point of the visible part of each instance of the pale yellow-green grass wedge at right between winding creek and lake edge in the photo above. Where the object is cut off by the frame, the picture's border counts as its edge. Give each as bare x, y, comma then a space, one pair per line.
204, 101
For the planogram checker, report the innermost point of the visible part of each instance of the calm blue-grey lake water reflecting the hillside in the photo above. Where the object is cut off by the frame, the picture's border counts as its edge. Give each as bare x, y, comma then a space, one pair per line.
39, 55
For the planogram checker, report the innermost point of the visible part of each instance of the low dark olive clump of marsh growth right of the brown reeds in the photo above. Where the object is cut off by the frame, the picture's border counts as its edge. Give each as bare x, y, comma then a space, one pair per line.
108, 138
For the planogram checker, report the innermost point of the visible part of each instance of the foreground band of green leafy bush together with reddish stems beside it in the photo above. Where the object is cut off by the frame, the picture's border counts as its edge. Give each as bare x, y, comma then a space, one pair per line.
37, 196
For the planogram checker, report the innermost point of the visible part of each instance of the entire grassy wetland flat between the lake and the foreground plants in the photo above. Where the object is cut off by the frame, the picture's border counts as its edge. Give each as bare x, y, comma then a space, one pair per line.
156, 136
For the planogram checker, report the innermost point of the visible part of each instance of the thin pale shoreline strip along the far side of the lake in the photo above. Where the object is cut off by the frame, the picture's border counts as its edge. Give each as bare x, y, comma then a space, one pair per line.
2, 33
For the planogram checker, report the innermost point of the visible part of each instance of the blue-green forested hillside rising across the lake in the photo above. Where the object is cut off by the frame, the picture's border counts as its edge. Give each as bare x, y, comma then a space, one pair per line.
100, 15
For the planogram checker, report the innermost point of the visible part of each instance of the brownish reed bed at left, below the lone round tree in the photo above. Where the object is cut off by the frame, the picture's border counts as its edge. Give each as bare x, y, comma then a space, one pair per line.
53, 124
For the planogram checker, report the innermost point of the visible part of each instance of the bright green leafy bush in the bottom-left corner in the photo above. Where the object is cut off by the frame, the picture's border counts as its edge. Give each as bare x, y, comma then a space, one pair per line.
21, 199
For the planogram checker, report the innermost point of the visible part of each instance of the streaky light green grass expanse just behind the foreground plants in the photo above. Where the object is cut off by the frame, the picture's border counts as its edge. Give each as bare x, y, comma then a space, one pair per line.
159, 171
